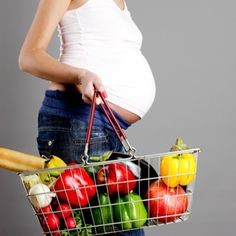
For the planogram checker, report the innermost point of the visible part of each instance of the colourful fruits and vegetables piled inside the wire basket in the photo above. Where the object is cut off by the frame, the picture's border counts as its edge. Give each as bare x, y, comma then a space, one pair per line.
83, 200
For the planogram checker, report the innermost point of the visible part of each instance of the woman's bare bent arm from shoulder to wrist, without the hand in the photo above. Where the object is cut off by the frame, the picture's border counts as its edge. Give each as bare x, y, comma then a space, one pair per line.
33, 57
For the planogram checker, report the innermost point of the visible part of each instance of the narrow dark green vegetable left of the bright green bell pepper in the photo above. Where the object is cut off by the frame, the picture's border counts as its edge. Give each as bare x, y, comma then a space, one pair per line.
103, 213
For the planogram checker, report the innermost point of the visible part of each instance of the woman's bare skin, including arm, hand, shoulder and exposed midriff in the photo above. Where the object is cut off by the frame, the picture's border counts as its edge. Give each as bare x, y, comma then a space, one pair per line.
34, 59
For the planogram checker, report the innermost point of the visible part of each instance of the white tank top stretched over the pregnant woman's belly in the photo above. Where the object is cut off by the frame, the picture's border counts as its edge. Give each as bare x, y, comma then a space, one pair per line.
102, 38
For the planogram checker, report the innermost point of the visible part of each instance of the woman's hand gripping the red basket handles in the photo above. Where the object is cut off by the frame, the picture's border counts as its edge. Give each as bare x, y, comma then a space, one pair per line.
89, 81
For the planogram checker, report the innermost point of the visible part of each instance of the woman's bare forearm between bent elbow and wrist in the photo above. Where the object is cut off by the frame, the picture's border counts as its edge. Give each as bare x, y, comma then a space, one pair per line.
40, 64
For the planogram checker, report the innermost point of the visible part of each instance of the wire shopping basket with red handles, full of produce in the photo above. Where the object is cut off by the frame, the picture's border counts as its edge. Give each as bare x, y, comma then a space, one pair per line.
125, 192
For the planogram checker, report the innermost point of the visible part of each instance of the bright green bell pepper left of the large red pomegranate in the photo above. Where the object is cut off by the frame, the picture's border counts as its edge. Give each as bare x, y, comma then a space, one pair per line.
130, 211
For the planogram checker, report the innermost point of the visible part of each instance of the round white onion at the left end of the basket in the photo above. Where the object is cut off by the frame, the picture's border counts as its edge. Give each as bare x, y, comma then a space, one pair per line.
40, 195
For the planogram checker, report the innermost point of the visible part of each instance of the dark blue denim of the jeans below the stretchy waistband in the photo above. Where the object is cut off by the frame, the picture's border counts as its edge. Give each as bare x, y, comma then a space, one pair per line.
66, 138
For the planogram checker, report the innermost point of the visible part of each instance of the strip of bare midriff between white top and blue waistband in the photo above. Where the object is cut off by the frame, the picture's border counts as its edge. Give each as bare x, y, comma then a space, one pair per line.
130, 117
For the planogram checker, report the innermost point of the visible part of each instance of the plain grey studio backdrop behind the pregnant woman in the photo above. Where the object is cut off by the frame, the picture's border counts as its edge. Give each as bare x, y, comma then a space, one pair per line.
190, 45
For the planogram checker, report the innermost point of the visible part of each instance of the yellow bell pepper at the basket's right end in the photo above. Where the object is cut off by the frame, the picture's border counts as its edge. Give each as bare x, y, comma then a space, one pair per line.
178, 169
